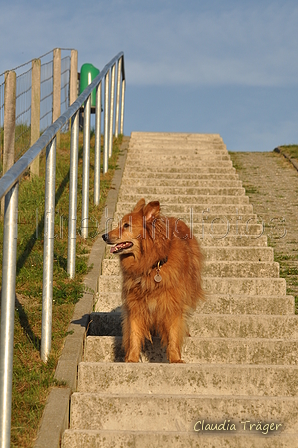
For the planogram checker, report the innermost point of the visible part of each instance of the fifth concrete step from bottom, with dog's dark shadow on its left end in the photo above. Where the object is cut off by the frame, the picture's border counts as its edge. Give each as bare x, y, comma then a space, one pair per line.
213, 326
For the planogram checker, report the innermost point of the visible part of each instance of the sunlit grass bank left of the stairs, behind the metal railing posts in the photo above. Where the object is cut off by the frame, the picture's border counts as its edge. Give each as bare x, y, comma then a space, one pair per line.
32, 379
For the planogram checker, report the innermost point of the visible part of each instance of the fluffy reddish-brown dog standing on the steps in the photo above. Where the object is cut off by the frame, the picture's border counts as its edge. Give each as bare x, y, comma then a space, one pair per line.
161, 264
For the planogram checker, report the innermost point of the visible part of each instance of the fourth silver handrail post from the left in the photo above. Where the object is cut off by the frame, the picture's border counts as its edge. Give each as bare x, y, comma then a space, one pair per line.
86, 163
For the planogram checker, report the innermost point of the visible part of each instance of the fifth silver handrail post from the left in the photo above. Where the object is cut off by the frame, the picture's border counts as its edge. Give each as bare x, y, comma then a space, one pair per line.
97, 145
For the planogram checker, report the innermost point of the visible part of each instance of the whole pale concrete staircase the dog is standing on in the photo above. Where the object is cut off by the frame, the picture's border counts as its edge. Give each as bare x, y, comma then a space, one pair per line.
241, 358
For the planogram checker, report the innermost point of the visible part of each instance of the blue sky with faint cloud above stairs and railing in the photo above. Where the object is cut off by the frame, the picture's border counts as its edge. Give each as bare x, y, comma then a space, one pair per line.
228, 67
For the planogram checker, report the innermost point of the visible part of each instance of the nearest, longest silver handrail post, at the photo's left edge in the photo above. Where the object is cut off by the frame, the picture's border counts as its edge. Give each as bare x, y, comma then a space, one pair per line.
7, 312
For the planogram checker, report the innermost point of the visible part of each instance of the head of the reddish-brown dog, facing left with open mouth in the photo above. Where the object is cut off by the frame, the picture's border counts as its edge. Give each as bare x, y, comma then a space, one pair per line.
132, 228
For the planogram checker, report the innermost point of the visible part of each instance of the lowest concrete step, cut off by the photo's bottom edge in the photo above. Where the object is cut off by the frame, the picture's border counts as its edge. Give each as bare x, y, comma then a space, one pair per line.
175, 439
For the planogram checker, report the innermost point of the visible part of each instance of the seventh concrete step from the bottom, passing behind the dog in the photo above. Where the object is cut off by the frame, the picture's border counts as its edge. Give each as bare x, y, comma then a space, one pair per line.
215, 285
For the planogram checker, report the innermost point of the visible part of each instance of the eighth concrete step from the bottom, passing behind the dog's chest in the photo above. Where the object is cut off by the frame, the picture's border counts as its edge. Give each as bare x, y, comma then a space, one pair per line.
215, 269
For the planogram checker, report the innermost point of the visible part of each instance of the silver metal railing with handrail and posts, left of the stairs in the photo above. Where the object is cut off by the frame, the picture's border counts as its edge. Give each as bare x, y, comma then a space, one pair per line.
9, 186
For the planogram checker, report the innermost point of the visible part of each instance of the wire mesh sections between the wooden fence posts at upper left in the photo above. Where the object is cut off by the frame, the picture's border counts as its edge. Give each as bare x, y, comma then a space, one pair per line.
23, 100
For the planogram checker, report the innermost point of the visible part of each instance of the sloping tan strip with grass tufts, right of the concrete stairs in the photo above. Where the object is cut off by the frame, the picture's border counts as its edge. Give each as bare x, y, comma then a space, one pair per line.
266, 202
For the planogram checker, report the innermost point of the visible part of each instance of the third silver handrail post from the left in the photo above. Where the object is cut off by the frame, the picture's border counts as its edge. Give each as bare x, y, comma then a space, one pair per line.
73, 188
